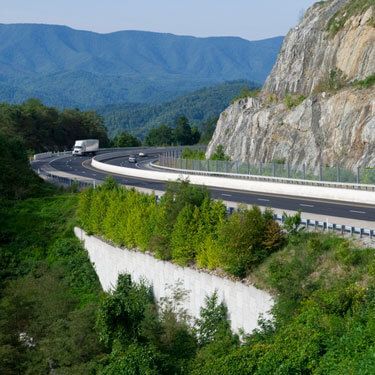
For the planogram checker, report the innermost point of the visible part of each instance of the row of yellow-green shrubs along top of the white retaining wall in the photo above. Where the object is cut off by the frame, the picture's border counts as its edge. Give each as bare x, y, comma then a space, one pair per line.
185, 226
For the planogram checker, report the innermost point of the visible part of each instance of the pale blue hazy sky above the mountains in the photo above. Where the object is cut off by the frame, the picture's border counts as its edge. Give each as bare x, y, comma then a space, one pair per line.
250, 19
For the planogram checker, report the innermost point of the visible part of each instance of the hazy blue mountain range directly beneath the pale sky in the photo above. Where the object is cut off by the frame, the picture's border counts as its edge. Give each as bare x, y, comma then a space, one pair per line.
67, 67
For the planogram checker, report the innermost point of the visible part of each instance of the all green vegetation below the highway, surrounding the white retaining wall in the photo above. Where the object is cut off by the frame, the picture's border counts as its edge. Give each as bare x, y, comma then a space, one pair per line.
54, 317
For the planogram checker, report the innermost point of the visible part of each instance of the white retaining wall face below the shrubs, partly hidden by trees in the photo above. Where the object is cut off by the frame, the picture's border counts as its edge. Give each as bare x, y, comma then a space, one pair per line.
246, 304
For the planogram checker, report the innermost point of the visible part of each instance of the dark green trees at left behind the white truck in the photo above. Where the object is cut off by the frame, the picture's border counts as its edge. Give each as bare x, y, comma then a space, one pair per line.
43, 128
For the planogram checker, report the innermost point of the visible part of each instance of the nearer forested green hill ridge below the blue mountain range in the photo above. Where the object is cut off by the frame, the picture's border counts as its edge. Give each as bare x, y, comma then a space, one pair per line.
198, 107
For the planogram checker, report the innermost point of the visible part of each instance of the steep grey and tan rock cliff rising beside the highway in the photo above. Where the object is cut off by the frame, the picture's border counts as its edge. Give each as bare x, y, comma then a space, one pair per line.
318, 104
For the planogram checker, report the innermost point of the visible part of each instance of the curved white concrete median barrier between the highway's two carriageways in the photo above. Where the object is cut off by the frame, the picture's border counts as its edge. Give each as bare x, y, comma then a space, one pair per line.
306, 191
